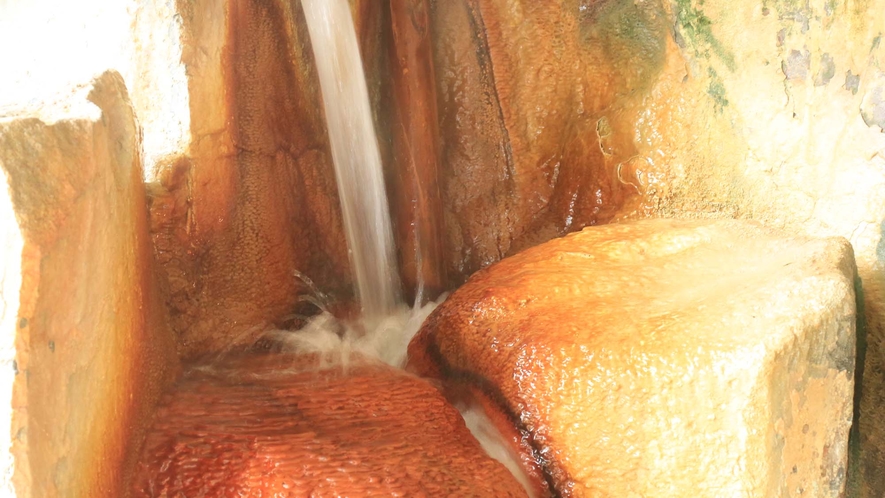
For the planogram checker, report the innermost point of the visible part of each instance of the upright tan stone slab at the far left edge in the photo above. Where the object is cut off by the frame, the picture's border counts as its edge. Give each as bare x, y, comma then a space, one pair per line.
93, 345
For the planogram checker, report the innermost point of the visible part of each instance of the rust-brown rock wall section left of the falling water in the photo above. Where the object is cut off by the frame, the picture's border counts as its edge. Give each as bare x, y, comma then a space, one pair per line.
258, 201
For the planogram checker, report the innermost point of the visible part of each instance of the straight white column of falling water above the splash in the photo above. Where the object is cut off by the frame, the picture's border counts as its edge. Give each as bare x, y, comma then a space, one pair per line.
355, 154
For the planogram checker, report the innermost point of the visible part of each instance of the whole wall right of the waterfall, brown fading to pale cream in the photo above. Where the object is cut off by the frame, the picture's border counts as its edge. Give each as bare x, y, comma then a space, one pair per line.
766, 110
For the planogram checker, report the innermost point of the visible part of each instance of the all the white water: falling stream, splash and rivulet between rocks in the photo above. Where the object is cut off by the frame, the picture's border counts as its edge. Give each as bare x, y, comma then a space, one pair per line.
388, 325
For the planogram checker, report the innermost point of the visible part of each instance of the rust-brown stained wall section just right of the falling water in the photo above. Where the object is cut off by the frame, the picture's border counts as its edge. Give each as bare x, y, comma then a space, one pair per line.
527, 91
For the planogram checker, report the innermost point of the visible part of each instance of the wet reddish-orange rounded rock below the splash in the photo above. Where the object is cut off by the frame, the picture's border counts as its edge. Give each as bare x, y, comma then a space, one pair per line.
270, 425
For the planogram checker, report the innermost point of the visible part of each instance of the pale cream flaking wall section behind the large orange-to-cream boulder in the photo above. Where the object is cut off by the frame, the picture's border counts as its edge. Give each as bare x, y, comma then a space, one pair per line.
769, 111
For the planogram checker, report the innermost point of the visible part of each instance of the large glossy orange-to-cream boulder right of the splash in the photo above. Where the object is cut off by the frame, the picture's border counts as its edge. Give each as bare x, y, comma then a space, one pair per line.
662, 358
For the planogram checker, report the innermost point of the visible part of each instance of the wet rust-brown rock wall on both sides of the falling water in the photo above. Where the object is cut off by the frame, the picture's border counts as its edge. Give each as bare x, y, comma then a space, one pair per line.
498, 131
